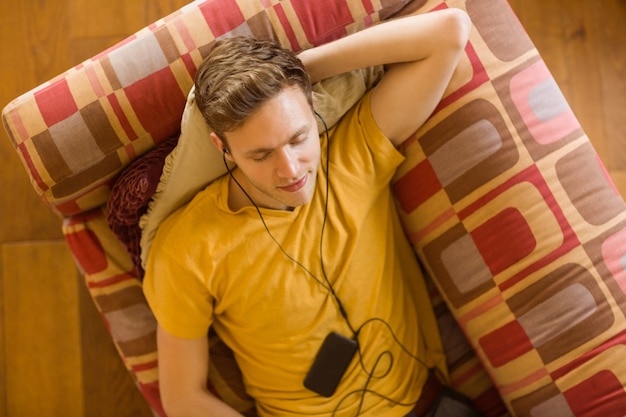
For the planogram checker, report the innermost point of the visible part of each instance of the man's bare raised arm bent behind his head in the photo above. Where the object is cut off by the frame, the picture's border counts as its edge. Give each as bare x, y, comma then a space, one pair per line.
421, 51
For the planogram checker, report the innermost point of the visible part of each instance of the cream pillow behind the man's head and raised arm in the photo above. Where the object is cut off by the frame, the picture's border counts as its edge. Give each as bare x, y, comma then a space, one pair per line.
195, 162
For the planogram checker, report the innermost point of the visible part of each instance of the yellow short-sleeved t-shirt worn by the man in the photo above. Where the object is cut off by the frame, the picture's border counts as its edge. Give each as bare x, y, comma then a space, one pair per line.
212, 267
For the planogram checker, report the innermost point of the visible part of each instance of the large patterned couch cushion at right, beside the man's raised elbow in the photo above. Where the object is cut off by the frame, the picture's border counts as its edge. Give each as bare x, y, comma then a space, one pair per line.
513, 215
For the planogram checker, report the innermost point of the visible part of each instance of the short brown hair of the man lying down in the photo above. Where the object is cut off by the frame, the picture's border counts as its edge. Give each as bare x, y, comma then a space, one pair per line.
242, 73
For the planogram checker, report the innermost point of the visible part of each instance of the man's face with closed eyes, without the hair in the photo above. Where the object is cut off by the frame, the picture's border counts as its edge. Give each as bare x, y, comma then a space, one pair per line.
278, 151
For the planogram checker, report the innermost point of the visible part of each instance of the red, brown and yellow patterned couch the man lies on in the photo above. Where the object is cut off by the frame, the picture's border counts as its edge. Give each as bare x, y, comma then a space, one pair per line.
520, 231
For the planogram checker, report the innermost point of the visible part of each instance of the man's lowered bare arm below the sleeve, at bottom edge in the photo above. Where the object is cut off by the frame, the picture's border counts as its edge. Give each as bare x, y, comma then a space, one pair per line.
183, 371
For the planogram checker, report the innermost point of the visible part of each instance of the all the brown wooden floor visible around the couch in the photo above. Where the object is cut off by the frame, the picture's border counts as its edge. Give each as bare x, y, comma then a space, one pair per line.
55, 356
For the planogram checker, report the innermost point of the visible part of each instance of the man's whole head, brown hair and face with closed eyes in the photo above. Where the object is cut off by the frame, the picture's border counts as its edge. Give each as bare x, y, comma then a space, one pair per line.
257, 99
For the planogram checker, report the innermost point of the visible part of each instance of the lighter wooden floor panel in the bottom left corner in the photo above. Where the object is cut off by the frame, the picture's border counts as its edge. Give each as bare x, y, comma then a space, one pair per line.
43, 375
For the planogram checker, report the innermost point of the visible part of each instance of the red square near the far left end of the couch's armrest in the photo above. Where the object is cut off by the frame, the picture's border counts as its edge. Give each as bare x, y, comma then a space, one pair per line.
55, 102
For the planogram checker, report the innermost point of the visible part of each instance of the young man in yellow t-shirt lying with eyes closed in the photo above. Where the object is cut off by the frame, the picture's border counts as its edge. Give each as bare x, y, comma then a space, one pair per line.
302, 240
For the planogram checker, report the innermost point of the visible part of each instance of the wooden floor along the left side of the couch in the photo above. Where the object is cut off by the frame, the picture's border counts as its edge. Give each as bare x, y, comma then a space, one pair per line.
56, 357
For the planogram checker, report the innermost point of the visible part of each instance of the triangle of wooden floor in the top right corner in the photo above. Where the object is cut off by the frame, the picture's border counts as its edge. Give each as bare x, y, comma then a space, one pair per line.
583, 43
